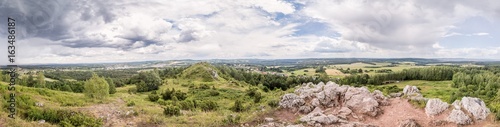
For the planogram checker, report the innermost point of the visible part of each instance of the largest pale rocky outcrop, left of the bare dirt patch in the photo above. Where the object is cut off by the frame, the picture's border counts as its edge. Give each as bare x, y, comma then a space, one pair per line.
345, 100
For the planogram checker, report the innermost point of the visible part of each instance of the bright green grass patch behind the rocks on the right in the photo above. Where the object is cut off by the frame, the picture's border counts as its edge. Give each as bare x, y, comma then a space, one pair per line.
430, 89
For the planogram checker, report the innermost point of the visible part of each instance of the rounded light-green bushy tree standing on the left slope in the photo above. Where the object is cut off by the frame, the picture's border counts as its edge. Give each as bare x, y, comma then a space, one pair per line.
96, 87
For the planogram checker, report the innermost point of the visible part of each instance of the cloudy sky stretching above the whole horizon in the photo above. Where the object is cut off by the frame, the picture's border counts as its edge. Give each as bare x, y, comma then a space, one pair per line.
92, 31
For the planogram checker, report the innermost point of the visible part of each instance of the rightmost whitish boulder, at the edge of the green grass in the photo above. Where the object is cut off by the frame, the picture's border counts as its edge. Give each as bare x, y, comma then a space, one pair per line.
476, 107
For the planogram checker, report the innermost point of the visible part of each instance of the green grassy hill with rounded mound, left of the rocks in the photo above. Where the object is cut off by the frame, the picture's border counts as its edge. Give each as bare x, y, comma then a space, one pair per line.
202, 83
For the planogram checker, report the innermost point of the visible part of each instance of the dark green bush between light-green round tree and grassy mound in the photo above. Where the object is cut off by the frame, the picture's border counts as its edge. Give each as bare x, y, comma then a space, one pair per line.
146, 81
